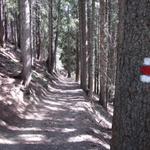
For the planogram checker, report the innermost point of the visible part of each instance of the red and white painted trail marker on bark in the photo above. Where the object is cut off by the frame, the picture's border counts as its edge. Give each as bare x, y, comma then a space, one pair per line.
145, 71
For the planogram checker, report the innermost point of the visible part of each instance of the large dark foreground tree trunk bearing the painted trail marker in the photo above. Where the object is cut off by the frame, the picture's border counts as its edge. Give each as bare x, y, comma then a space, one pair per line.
131, 122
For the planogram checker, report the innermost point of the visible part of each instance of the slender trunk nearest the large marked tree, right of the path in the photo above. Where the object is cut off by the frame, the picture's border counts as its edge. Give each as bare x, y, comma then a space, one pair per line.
103, 56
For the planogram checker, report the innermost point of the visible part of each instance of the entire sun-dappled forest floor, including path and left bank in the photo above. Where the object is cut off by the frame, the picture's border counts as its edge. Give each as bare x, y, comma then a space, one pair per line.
55, 115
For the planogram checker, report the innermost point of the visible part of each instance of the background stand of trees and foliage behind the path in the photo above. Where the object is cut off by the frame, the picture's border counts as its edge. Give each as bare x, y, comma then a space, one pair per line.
81, 34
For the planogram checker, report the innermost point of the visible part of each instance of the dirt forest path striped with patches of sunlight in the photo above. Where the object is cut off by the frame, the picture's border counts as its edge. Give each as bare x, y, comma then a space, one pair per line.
59, 121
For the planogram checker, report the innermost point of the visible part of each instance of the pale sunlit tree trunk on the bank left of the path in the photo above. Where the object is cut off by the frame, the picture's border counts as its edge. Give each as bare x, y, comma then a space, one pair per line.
25, 40
